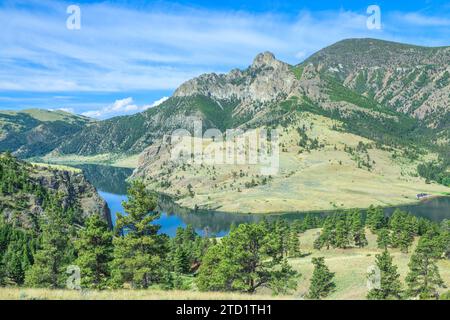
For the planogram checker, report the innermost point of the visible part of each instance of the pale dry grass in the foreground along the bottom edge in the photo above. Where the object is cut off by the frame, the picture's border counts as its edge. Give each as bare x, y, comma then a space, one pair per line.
350, 266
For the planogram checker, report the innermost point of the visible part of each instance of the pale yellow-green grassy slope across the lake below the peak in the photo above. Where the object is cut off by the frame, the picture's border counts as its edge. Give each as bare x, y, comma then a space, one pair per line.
323, 179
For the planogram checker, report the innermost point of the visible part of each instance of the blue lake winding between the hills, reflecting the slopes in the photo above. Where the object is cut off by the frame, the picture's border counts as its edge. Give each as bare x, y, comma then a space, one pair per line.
111, 183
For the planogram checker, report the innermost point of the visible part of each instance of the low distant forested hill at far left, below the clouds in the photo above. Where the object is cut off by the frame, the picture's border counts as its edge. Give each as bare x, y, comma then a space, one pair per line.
36, 132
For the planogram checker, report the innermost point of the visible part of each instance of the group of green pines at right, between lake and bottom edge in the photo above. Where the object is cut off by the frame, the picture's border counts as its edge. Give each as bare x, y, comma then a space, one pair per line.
345, 230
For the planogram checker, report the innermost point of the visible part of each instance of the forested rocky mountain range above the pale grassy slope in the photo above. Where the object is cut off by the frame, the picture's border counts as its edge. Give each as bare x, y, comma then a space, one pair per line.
360, 78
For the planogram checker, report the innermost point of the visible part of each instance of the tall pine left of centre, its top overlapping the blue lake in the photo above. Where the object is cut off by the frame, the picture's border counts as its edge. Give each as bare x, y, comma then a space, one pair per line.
139, 251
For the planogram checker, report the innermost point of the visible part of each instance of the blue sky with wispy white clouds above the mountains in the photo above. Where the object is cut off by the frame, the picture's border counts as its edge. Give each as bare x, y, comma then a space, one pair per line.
128, 55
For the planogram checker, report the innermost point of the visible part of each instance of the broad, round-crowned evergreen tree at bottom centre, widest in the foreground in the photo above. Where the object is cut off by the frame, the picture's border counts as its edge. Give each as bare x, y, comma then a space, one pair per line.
246, 259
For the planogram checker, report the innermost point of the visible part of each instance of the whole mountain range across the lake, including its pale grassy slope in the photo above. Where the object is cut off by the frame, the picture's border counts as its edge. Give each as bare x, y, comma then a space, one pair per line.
368, 107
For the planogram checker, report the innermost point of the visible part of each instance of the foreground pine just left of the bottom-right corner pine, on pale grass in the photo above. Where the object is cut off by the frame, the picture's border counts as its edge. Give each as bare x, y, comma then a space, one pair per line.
389, 286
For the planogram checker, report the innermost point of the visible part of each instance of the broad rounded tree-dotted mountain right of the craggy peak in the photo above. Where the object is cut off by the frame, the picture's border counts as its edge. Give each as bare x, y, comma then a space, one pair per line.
410, 79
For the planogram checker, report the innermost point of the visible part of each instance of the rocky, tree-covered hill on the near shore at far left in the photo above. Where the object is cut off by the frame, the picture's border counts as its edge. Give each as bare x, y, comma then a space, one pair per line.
26, 188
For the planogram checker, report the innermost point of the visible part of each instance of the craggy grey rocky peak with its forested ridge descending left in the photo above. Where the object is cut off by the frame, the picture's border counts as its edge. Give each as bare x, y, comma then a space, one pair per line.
222, 108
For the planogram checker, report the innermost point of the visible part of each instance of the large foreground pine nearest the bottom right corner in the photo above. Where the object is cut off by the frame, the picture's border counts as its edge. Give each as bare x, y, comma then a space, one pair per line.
423, 278
